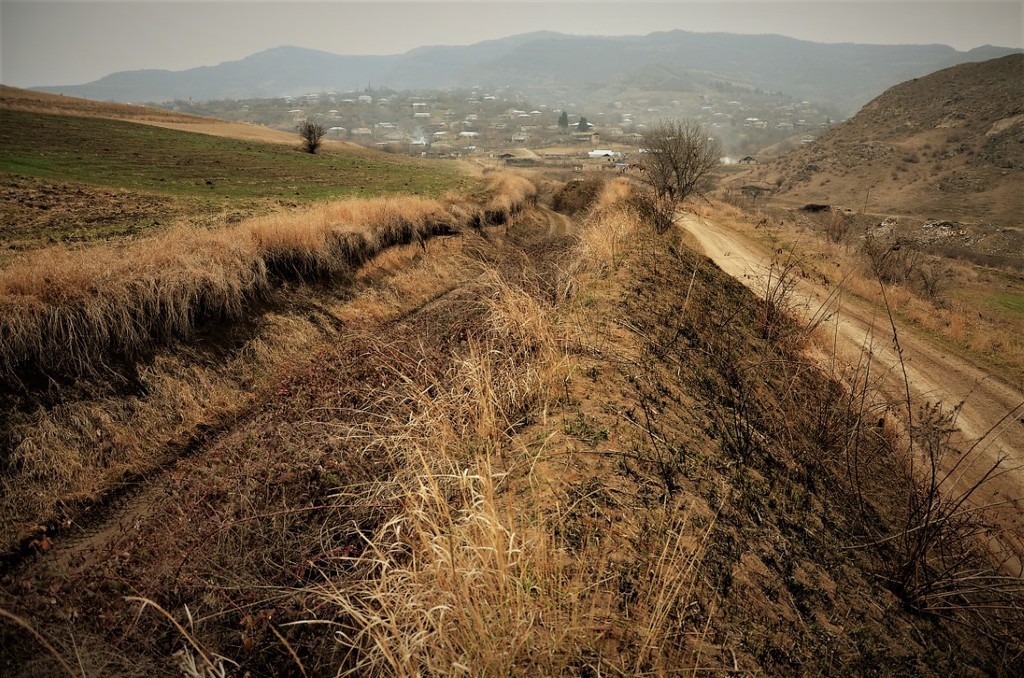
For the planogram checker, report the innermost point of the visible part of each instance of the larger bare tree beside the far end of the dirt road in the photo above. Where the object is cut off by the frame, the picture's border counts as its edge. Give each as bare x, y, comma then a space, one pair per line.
678, 160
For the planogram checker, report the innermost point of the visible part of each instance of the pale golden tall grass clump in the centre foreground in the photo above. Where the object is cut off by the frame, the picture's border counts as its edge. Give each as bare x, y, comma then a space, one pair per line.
446, 582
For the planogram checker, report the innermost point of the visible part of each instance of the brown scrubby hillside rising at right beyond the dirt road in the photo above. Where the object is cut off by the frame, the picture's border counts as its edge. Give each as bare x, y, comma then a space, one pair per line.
949, 145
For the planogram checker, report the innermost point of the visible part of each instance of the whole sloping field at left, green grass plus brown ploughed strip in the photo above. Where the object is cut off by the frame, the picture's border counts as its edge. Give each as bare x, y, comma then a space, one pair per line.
75, 179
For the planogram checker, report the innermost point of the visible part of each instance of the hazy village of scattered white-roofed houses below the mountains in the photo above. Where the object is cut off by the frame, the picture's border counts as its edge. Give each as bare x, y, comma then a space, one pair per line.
501, 126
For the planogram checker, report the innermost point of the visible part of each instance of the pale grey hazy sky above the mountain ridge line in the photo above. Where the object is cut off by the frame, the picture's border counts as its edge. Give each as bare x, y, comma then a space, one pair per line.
67, 43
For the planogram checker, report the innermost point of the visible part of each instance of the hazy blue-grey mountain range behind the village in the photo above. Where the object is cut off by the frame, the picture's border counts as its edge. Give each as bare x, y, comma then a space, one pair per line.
554, 67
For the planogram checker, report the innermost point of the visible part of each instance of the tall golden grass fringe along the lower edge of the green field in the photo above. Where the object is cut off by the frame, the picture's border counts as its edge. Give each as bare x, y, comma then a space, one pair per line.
65, 314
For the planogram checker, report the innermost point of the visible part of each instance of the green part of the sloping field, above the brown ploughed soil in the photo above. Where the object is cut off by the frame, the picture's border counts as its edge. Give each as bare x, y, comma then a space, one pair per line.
143, 158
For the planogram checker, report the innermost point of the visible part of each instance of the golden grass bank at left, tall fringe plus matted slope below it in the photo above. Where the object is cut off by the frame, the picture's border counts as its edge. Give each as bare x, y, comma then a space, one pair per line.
113, 357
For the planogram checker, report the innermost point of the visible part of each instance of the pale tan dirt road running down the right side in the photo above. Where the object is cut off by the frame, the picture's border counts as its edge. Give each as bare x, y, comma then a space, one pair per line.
932, 373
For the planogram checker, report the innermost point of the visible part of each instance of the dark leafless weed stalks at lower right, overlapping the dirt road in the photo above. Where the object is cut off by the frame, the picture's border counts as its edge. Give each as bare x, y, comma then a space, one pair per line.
946, 554
